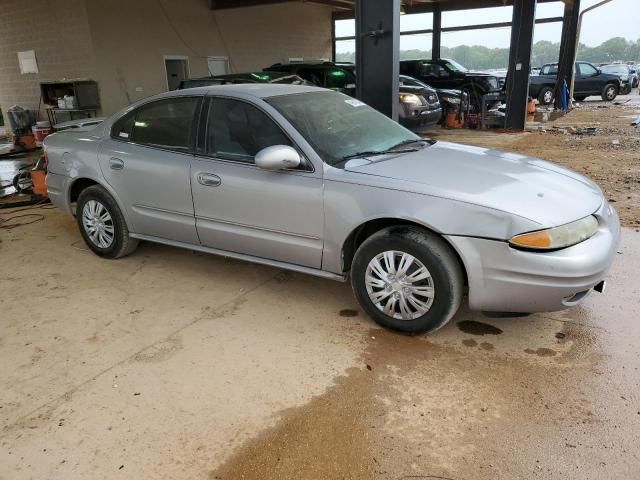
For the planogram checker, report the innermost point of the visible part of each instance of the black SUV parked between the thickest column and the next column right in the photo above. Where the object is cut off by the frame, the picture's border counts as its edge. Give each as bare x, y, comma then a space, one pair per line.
446, 73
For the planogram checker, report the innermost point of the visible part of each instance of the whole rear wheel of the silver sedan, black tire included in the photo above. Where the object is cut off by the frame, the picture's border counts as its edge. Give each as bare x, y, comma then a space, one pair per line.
102, 224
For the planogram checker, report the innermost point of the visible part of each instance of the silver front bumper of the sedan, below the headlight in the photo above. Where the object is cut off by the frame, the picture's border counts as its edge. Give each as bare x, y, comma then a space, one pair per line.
504, 279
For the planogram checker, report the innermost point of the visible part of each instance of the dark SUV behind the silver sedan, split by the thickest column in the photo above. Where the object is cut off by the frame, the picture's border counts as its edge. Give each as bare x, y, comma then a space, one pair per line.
419, 108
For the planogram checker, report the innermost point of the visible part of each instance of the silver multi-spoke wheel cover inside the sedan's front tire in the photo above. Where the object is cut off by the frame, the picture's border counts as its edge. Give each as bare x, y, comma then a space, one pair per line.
399, 285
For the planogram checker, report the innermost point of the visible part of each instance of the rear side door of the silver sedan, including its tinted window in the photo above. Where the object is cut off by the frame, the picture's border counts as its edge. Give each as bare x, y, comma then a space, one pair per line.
147, 159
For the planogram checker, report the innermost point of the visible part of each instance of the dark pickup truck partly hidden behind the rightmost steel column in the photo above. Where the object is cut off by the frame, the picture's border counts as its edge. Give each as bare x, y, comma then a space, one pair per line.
590, 80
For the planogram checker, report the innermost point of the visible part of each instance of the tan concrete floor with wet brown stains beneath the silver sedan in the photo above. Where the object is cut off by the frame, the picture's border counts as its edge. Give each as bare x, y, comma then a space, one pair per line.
173, 364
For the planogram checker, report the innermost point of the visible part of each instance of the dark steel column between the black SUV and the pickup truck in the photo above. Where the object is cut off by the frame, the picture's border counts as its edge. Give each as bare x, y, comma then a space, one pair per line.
517, 89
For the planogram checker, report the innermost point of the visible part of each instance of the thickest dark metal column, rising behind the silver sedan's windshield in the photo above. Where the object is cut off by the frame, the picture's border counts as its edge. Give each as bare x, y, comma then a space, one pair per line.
378, 54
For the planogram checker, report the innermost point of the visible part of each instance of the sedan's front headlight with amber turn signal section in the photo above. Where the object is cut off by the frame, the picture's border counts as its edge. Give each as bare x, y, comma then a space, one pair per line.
557, 237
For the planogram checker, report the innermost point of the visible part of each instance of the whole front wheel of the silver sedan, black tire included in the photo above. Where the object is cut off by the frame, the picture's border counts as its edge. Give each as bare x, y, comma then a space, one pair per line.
425, 296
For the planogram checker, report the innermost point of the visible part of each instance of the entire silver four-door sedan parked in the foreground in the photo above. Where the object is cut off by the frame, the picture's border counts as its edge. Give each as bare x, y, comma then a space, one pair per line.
317, 182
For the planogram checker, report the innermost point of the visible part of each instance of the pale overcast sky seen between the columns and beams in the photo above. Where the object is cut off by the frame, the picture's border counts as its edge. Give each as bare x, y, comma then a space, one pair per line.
619, 18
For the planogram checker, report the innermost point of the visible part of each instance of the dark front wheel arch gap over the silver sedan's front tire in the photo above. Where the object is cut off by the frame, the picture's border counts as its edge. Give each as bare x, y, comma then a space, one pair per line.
363, 231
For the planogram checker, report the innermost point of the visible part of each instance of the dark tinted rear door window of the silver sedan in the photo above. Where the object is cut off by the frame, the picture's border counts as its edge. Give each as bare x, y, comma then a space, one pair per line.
167, 124
